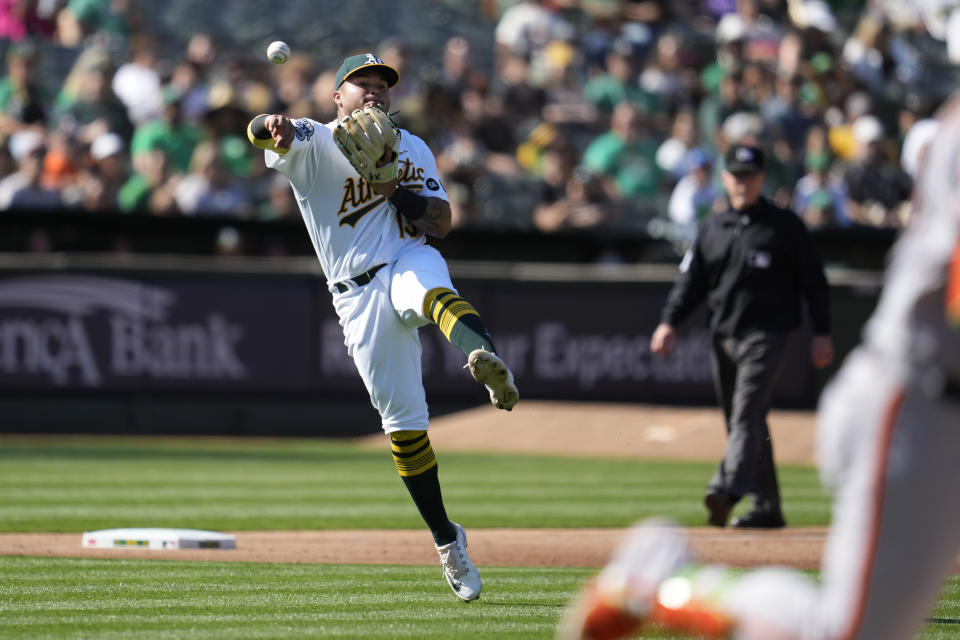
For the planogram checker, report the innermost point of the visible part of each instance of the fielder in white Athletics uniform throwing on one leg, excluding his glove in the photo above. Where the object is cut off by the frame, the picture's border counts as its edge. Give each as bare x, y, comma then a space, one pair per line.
386, 282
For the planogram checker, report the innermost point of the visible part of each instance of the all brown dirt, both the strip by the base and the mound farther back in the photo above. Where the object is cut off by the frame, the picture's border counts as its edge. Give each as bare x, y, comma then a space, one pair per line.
612, 430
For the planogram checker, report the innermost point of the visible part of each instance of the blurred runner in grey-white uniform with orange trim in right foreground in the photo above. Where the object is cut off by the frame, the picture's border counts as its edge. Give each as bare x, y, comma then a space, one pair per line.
888, 447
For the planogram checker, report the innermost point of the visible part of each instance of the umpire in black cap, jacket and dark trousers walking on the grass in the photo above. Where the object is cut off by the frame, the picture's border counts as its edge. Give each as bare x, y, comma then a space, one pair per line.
752, 264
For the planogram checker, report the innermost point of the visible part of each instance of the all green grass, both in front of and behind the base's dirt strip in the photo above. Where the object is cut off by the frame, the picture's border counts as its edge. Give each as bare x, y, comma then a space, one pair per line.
77, 484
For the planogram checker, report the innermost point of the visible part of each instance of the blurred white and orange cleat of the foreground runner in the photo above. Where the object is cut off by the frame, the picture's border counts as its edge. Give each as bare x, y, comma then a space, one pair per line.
639, 585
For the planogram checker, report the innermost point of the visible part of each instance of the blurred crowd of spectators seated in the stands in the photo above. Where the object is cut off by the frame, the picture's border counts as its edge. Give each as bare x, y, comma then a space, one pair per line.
591, 114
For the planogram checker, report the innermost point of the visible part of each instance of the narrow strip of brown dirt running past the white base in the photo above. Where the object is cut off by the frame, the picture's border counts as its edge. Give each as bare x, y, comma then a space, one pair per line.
797, 547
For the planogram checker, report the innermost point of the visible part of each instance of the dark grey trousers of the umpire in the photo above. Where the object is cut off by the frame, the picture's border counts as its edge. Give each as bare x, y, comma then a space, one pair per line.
745, 372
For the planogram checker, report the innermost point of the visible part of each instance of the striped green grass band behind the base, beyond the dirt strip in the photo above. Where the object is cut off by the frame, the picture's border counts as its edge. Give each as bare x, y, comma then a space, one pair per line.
77, 484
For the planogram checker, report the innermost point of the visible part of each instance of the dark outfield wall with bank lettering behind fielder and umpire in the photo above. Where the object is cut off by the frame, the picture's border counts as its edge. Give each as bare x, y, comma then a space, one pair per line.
252, 346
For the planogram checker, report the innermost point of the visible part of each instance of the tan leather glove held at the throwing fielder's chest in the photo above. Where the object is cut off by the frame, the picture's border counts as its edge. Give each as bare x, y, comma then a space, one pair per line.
363, 137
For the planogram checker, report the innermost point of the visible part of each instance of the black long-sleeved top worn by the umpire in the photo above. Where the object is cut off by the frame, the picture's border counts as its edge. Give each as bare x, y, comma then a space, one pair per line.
752, 267
